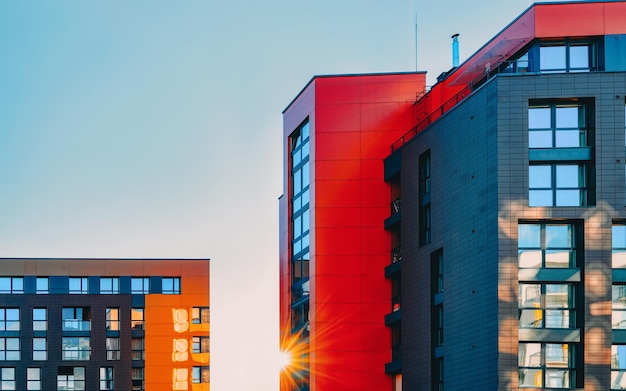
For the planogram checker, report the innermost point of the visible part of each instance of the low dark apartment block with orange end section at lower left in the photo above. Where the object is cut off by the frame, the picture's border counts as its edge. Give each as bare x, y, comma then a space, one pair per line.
104, 324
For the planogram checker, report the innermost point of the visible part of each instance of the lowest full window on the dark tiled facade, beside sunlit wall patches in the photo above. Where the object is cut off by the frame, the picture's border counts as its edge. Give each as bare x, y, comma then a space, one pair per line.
549, 365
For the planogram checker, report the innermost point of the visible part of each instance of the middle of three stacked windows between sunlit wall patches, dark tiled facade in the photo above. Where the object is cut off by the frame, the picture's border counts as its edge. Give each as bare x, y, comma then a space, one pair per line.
546, 306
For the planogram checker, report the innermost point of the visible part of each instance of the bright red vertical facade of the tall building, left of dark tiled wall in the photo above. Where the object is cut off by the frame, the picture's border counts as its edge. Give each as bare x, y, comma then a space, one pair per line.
353, 123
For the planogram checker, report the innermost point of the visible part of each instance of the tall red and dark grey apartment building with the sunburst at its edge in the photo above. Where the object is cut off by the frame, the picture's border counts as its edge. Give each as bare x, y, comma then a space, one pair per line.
500, 233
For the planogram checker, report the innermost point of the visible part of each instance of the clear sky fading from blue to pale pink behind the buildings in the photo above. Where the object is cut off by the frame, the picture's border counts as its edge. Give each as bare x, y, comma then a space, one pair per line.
152, 128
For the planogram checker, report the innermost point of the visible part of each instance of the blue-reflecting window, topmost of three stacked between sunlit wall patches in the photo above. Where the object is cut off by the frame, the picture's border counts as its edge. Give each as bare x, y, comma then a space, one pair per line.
546, 245
